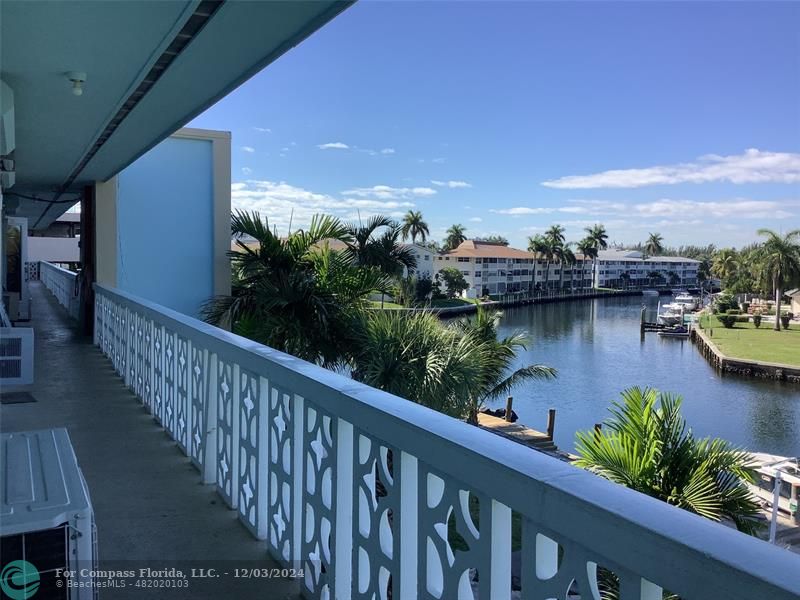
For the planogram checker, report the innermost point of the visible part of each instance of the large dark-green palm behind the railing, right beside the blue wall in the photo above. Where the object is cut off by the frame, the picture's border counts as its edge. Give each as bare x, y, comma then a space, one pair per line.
294, 294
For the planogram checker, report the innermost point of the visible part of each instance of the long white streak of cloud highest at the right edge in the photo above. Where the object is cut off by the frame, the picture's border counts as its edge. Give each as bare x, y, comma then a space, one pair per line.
753, 166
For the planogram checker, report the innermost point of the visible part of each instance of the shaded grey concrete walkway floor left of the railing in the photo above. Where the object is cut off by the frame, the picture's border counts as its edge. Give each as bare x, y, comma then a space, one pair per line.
148, 500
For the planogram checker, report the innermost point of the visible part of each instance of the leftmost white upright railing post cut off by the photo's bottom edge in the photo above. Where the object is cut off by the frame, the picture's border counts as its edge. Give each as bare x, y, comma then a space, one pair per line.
343, 549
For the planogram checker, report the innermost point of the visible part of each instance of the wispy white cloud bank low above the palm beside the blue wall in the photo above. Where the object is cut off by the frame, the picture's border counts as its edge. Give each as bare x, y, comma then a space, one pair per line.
280, 201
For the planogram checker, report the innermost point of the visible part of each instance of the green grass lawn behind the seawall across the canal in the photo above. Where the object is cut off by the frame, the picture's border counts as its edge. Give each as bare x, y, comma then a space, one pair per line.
764, 344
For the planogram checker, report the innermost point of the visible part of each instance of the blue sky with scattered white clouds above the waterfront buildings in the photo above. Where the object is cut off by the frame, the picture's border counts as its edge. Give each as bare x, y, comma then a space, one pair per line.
681, 118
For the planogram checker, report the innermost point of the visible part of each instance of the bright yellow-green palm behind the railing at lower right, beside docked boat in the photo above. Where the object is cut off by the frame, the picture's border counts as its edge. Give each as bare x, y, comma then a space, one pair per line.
646, 446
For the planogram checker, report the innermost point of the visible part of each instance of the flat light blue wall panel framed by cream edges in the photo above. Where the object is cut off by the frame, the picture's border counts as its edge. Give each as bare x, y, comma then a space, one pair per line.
165, 225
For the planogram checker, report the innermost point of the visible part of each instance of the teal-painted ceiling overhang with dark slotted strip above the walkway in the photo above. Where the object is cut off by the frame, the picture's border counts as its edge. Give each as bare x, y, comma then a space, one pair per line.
151, 67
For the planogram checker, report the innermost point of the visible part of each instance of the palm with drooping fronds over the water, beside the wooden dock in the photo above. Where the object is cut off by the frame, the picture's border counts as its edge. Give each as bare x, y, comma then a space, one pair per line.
495, 377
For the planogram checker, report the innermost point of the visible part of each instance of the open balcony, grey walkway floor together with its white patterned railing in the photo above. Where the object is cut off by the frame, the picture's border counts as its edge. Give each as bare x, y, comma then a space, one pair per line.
359, 489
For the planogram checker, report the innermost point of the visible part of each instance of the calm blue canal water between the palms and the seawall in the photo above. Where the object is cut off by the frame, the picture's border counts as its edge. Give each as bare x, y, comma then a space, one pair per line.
598, 351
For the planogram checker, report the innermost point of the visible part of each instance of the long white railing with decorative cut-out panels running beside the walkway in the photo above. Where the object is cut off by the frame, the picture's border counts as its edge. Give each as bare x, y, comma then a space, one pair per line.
356, 487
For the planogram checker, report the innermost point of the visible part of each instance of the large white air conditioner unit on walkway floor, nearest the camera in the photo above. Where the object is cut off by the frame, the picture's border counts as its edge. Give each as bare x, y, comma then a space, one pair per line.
46, 518
